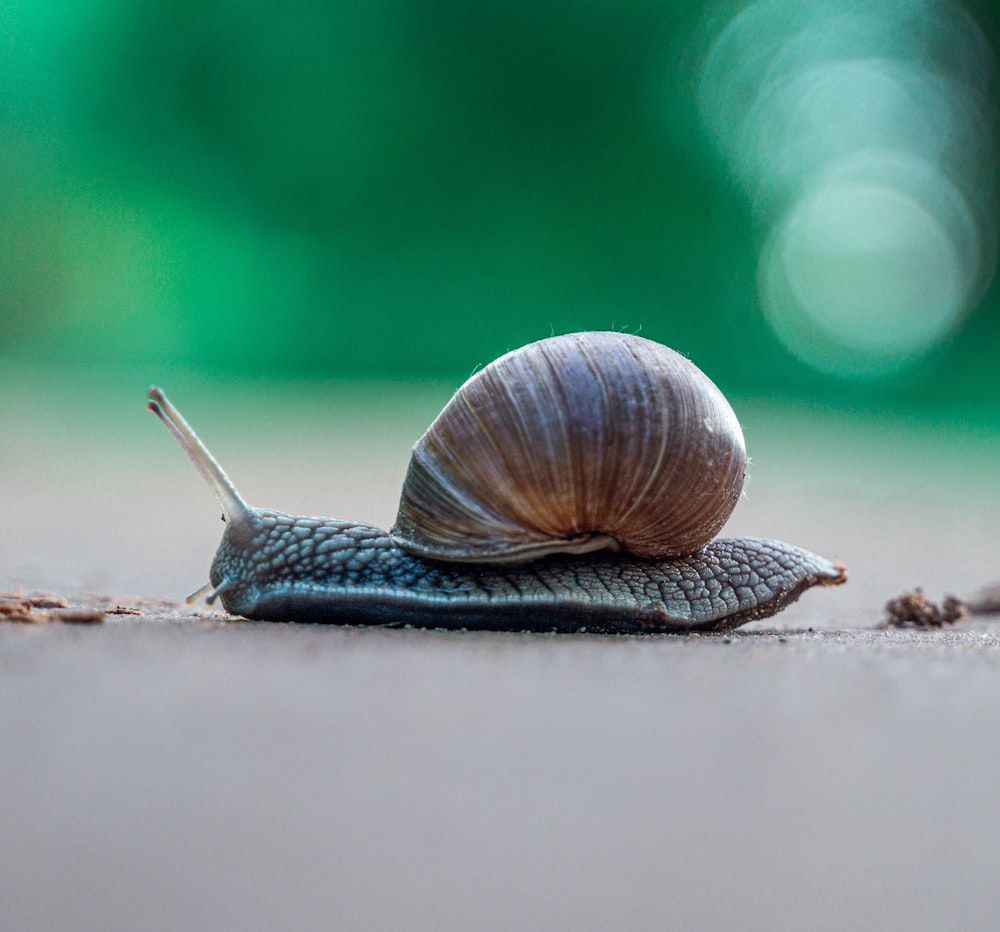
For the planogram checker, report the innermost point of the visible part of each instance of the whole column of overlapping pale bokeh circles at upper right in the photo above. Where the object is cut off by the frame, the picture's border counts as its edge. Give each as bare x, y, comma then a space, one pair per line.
862, 134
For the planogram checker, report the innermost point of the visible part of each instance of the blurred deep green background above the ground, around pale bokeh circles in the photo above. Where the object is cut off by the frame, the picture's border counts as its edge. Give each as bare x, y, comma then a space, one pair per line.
402, 188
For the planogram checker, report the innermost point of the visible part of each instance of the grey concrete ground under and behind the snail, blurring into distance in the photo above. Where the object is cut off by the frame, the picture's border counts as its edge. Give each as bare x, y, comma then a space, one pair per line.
177, 769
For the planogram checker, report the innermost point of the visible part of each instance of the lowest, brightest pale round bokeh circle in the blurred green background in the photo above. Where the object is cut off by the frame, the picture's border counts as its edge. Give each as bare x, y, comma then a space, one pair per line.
862, 272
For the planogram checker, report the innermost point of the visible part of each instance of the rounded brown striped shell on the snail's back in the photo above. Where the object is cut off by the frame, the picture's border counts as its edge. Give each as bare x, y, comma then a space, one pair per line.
572, 444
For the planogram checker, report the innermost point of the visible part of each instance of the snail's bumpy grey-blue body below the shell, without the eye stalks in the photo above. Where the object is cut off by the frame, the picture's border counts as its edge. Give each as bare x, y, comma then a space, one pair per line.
277, 567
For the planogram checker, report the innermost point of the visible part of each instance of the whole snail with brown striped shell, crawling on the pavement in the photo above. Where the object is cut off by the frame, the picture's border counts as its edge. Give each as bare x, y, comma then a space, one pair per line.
573, 484
